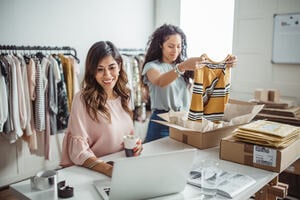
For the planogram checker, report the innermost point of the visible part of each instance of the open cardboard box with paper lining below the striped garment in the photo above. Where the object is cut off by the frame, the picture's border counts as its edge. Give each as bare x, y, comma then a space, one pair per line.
202, 140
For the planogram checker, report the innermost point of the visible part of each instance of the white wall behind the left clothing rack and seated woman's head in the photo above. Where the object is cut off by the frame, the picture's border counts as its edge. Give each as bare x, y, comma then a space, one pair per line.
72, 23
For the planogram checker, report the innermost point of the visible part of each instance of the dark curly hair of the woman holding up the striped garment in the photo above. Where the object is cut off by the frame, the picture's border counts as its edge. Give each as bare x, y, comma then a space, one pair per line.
156, 40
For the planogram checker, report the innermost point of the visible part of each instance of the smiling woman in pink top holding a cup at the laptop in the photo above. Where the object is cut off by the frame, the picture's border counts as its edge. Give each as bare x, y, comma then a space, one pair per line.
100, 114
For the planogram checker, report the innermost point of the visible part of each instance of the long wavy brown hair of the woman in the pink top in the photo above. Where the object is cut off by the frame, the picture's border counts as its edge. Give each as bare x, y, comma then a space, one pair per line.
93, 95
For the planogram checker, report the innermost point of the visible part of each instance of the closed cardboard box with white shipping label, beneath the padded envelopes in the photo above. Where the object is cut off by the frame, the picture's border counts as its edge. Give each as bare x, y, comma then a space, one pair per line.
271, 159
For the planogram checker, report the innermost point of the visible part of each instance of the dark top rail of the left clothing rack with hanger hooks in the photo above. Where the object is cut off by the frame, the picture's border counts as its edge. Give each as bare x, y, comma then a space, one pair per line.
66, 50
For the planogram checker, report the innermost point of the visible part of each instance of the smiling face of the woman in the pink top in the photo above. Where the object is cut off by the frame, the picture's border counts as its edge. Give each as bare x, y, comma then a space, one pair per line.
107, 74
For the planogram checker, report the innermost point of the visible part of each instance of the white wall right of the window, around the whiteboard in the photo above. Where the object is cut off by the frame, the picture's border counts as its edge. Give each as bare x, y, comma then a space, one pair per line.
252, 43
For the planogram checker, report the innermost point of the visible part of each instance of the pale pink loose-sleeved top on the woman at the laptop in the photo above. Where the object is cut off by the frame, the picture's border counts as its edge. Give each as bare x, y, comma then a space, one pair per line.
86, 138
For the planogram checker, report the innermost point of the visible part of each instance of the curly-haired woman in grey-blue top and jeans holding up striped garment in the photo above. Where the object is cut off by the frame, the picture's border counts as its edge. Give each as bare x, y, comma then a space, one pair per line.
167, 73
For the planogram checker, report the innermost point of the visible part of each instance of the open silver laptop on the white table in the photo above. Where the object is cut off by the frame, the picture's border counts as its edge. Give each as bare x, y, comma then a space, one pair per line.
147, 176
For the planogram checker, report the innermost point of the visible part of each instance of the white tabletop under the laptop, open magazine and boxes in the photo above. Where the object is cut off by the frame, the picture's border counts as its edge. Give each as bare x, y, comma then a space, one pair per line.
82, 179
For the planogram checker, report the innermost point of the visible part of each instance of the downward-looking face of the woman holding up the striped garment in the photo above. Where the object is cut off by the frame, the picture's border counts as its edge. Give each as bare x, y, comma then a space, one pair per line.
171, 48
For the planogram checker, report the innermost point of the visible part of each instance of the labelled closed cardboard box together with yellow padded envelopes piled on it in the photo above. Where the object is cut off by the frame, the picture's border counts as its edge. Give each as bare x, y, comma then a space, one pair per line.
254, 153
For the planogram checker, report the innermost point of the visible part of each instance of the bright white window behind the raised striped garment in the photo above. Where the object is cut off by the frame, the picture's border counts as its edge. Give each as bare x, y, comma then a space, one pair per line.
208, 25
